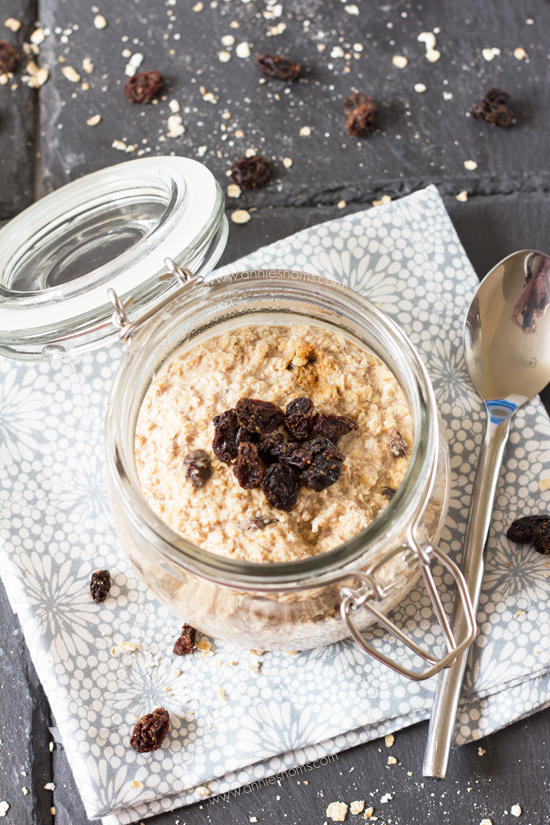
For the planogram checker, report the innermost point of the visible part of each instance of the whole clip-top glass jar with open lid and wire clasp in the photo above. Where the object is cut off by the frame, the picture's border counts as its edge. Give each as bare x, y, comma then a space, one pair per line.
106, 239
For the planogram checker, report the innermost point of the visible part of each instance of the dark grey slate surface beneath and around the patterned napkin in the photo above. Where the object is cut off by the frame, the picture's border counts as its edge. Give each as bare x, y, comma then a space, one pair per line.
509, 208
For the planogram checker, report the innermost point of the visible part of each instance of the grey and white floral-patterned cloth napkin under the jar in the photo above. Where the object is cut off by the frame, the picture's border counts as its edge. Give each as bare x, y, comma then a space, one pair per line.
104, 665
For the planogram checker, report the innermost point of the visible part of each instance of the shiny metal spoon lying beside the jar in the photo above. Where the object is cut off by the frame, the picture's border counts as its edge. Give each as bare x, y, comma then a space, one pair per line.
507, 353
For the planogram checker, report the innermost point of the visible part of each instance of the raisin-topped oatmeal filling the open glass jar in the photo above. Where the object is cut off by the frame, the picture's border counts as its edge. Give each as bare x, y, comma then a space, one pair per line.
272, 443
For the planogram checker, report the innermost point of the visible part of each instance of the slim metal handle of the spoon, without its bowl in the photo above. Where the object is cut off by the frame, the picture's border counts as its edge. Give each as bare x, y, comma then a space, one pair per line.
449, 685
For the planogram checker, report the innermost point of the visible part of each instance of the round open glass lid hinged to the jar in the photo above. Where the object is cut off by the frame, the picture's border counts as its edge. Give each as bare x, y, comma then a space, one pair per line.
110, 229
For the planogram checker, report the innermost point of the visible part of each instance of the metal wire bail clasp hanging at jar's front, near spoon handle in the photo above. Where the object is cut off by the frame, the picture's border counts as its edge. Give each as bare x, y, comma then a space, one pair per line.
370, 592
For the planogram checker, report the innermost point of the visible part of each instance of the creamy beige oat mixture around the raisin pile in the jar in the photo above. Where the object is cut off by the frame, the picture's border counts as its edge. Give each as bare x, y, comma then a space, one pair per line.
272, 363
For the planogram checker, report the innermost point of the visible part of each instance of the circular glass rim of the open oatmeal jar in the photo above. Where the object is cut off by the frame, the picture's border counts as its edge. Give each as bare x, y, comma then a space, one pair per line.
399, 517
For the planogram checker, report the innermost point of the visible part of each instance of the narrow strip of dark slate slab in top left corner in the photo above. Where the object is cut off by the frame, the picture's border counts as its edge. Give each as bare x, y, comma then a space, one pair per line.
18, 104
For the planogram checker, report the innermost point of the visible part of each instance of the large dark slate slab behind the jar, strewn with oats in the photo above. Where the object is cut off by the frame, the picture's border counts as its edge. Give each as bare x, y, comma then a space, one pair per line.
420, 138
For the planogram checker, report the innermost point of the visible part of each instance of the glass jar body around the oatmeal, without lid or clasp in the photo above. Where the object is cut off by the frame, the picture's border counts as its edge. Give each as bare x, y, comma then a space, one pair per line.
292, 605
